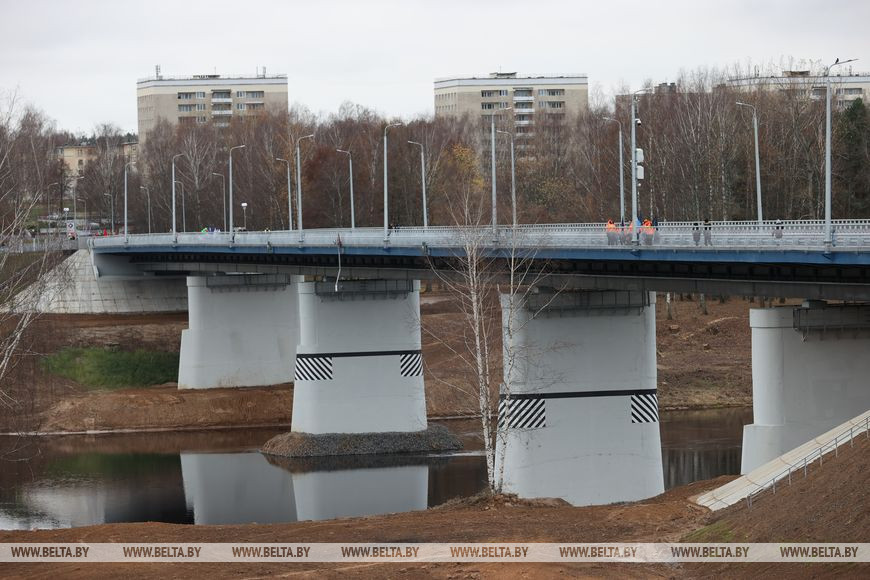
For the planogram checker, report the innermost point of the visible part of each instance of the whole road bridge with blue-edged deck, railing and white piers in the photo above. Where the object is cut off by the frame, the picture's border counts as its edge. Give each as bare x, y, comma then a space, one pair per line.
338, 311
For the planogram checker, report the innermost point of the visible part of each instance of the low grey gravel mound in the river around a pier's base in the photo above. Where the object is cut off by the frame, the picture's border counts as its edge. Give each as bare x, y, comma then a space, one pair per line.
434, 439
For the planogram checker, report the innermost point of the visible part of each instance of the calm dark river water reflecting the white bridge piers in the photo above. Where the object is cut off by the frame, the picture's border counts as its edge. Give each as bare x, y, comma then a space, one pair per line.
219, 477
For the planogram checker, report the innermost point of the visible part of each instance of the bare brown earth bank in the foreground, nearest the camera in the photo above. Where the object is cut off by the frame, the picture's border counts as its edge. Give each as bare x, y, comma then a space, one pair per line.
830, 505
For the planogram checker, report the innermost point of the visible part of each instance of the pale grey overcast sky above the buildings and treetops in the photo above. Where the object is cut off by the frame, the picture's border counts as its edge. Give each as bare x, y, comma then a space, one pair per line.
78, 60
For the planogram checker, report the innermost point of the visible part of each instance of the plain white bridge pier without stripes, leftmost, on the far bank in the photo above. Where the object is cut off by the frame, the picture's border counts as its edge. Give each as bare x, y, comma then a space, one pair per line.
242, 332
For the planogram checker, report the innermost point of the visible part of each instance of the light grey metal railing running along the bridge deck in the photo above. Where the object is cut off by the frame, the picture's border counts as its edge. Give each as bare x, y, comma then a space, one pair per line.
801, 235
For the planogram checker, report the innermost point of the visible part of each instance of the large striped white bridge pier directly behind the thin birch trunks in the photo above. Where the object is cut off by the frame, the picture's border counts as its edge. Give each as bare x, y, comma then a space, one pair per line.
581, 422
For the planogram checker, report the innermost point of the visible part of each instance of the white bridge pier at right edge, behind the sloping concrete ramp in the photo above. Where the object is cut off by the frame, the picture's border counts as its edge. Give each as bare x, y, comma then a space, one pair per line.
810, 369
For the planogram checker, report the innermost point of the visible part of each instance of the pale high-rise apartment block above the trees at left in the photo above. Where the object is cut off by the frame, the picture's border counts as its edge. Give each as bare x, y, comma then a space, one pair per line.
206, 98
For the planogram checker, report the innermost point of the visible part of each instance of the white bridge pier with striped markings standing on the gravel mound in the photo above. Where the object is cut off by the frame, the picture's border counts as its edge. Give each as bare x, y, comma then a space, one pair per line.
359, 368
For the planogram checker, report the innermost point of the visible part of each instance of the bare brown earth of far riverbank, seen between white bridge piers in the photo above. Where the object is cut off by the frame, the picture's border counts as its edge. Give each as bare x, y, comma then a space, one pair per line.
704, 362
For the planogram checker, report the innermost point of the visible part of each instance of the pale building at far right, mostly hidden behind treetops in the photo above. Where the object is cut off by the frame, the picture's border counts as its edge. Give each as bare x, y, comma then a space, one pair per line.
845, 88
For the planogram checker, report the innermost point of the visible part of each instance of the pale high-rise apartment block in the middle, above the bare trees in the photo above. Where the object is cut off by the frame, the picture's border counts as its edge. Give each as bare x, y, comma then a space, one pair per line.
541, 97
